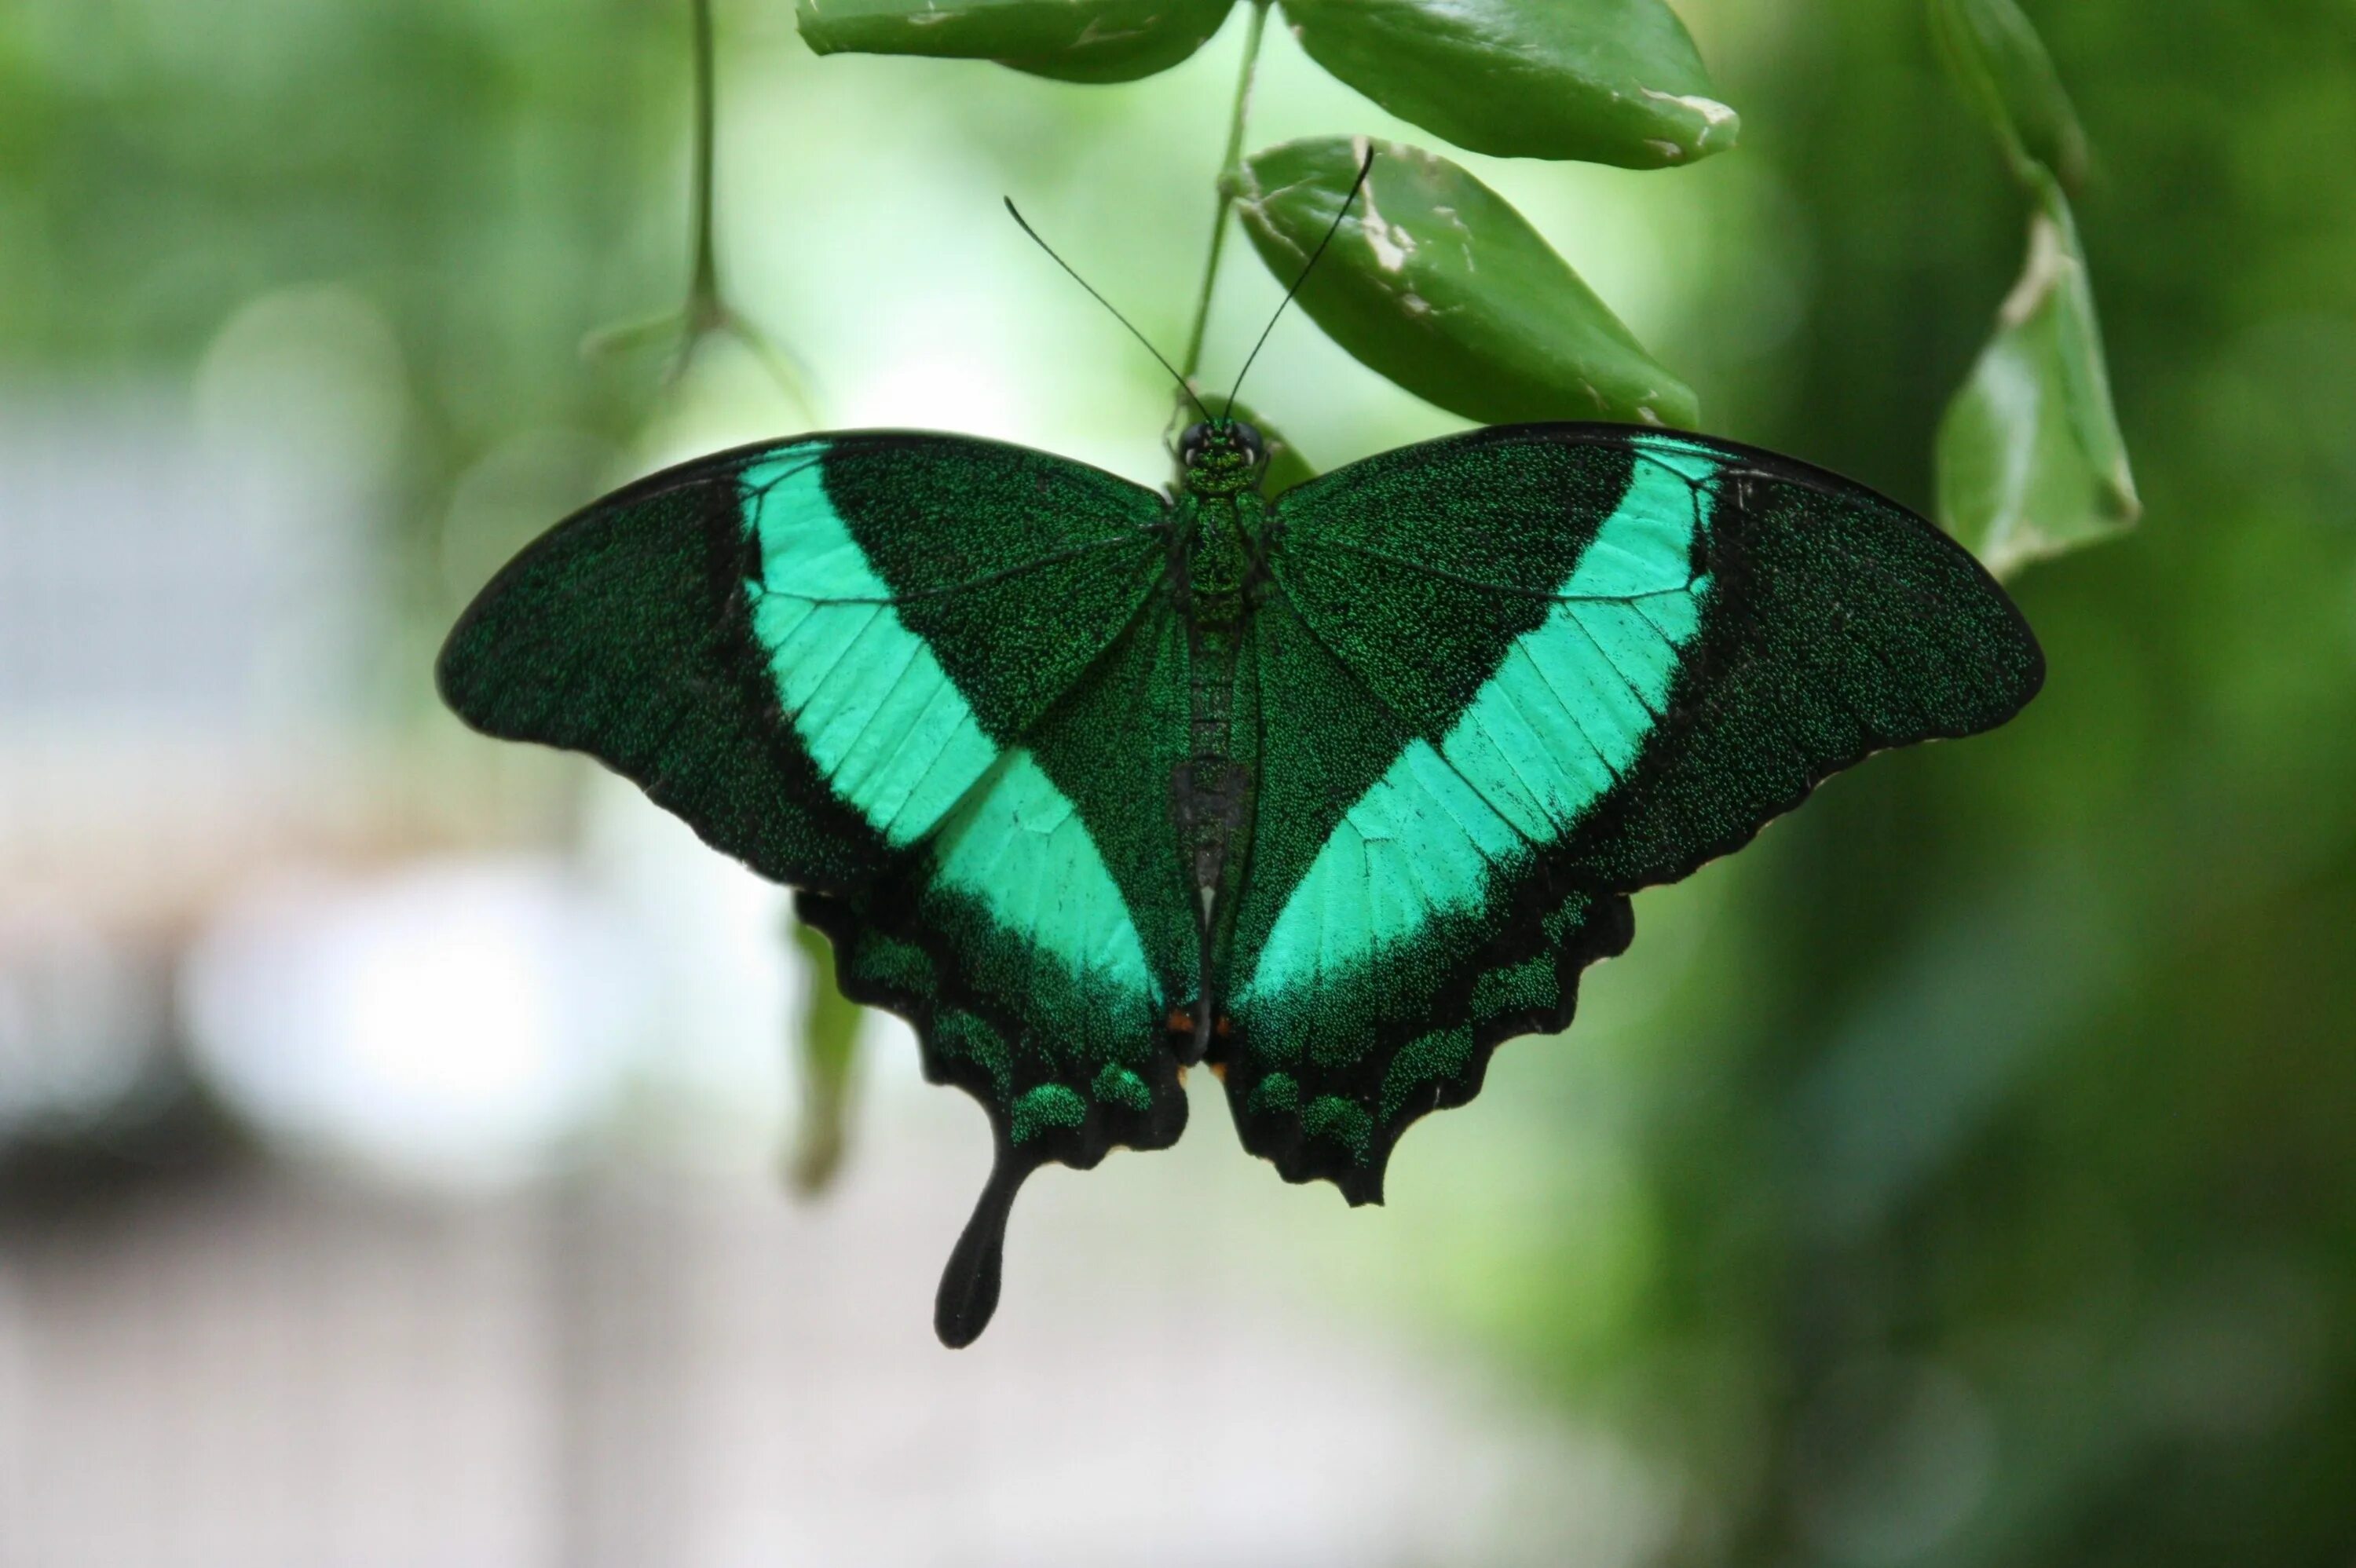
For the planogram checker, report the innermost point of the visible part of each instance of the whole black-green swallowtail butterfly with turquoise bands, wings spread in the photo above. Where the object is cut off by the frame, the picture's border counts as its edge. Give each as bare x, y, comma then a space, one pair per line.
1335, 790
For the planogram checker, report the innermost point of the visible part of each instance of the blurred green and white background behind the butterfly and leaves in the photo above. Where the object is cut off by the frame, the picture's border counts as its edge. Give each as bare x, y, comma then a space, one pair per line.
390, 1122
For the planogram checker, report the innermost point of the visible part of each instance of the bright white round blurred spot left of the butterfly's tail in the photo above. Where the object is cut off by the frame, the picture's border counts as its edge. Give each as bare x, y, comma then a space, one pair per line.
446, 1021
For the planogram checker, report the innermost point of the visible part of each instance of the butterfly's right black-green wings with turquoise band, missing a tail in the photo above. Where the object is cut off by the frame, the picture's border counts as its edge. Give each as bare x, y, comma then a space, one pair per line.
1509, 679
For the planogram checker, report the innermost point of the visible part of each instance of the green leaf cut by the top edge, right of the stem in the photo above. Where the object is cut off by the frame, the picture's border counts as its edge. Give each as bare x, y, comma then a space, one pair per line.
1608, 81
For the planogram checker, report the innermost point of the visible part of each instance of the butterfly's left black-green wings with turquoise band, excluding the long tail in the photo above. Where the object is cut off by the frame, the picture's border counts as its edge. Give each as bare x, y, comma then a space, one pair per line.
887, 670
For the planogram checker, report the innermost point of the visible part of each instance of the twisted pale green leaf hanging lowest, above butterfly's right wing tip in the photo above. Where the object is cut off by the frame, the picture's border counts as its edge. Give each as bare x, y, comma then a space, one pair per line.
2030, 453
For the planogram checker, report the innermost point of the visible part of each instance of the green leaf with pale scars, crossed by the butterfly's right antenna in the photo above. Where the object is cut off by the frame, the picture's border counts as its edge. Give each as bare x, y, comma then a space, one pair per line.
1441, 286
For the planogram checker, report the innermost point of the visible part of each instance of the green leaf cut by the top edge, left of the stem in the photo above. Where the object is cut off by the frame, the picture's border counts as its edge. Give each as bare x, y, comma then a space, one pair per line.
1078, 41
